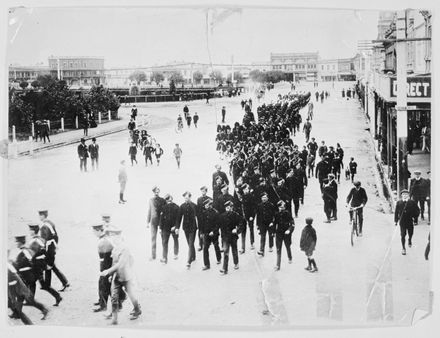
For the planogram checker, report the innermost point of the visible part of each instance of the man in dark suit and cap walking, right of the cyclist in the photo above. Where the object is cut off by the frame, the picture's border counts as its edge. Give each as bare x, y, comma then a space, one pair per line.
406, 214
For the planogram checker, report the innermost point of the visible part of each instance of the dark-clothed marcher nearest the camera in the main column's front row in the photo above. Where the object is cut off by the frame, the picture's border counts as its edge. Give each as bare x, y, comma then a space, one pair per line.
231, 225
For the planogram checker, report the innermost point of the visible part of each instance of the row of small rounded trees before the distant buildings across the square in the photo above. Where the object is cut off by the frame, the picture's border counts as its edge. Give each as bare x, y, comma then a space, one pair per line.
176, 77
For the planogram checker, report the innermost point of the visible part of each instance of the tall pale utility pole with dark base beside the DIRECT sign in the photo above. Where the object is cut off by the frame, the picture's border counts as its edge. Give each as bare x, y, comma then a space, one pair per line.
401, 106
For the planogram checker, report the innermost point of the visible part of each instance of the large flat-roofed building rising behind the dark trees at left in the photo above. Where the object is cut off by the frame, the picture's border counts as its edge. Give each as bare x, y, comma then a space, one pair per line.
81, 71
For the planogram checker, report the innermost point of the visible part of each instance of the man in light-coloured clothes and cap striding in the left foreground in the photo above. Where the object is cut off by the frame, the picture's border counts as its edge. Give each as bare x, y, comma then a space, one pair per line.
122, 275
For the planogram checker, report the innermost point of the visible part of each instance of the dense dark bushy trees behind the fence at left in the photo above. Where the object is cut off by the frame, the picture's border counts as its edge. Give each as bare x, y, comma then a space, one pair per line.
51, 99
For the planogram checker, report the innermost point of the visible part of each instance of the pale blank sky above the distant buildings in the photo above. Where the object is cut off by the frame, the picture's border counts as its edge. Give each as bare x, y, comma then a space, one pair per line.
146, 37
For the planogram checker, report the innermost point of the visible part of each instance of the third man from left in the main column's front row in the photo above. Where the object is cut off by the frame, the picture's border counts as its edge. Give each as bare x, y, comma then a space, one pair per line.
188, 218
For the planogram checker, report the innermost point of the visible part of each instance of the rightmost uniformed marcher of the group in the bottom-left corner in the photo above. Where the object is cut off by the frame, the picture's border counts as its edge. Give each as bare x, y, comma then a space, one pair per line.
50, 236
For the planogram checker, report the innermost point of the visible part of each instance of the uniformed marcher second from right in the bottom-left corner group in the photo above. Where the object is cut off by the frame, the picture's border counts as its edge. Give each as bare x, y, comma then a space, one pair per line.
39, 262
